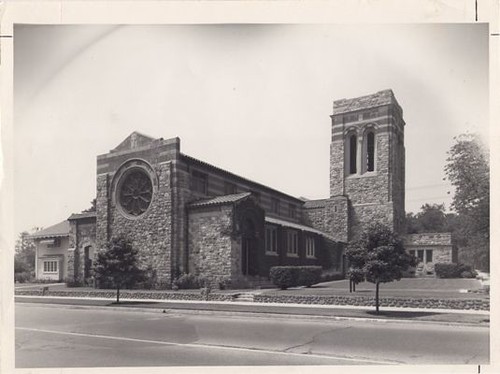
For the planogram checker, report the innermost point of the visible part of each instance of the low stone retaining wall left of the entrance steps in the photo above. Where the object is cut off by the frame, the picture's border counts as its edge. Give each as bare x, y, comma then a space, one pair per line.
124, 294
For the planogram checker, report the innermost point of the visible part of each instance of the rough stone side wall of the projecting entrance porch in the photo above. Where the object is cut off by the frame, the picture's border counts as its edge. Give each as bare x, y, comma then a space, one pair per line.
210, 242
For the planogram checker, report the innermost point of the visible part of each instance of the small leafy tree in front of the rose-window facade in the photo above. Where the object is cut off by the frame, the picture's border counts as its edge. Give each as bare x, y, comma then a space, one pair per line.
116, 266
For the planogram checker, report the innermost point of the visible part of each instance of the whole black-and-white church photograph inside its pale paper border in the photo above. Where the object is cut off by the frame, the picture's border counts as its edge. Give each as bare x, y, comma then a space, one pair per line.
244, 194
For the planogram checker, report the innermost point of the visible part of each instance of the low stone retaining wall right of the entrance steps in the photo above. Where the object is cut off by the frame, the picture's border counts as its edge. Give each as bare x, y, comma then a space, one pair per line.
467, 304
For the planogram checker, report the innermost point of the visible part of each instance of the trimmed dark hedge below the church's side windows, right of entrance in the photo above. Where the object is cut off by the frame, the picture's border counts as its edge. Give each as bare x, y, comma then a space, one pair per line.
292, 276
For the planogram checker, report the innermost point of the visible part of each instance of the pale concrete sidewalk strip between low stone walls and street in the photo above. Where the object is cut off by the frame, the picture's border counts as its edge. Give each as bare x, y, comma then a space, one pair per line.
272, 309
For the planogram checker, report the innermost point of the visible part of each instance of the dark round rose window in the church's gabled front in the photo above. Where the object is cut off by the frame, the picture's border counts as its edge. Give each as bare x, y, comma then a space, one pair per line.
136, 193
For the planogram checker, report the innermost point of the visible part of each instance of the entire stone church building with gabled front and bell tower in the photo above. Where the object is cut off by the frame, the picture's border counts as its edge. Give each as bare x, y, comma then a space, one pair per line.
187, 216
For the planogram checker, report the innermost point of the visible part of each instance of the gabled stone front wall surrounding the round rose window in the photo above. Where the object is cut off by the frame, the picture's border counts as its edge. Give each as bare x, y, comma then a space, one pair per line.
151, 231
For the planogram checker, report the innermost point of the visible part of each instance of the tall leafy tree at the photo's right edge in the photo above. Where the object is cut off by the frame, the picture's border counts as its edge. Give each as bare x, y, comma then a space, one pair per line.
469, 172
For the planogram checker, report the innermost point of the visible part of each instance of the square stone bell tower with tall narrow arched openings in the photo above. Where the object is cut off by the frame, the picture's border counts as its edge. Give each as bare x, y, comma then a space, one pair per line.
367, 160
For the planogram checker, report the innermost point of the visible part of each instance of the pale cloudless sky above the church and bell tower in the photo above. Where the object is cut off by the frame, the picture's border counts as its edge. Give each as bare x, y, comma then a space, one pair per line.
253, 99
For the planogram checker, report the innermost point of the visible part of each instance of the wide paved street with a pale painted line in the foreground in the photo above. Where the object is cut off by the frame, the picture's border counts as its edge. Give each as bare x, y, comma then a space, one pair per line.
82, 337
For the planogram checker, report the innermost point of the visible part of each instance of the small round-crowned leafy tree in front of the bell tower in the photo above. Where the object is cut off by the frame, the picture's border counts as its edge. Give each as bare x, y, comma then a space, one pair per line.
379, 257
